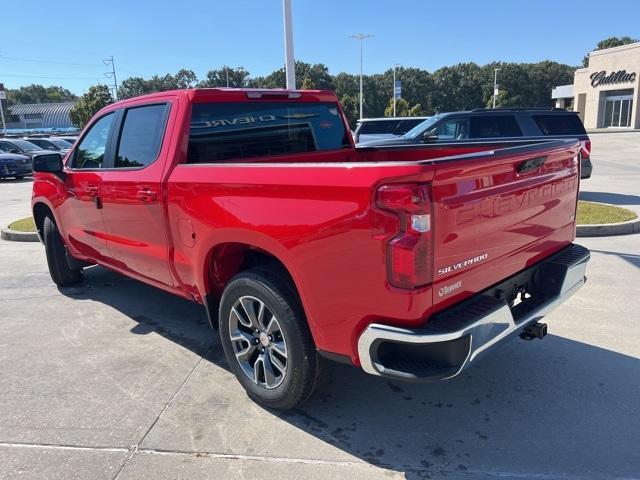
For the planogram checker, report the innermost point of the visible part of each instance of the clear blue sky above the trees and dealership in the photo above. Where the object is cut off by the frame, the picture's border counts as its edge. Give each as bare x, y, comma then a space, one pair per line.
148, 37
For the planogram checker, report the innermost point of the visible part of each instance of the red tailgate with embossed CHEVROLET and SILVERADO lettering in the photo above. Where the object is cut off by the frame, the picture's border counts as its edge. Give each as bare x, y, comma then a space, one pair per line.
498, 212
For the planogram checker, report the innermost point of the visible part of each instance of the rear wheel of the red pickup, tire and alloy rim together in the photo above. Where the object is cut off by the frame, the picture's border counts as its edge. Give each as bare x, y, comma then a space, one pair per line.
267, 341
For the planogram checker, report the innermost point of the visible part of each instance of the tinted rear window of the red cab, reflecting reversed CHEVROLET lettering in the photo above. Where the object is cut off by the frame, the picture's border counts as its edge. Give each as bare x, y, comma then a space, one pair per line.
222, 132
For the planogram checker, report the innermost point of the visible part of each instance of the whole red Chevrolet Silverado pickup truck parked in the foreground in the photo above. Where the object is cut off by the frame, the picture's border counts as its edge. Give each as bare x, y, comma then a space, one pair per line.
410, 262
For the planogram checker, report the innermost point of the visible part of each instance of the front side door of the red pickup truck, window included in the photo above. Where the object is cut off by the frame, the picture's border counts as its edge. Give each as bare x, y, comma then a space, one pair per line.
80, 214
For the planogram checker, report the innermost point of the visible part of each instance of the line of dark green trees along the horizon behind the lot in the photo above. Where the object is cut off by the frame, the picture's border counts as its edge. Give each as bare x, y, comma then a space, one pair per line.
459, 87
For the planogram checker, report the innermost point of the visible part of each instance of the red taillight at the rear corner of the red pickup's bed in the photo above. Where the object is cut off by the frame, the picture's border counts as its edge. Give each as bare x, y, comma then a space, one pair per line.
410, 253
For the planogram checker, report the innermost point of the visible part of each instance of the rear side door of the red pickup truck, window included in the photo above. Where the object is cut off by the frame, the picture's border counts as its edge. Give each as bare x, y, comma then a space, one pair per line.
131, 194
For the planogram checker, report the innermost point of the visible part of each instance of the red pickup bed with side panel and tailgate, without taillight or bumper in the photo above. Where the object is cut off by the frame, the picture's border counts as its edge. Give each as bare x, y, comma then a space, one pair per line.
314, 211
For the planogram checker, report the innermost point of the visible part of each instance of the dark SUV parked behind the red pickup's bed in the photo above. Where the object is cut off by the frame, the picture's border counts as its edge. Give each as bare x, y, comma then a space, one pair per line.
484, 124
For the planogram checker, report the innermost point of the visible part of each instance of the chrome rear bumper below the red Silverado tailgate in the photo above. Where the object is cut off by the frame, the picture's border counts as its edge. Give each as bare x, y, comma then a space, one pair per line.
456, 337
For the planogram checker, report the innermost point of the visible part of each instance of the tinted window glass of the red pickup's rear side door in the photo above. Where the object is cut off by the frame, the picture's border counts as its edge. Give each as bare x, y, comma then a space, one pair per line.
141, 136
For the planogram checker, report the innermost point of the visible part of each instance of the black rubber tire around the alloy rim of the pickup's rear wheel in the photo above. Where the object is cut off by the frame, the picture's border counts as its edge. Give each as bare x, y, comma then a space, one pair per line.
303, 364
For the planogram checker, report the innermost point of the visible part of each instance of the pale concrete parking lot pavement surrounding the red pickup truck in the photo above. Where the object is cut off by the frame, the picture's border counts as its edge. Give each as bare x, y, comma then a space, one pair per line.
115, 379
